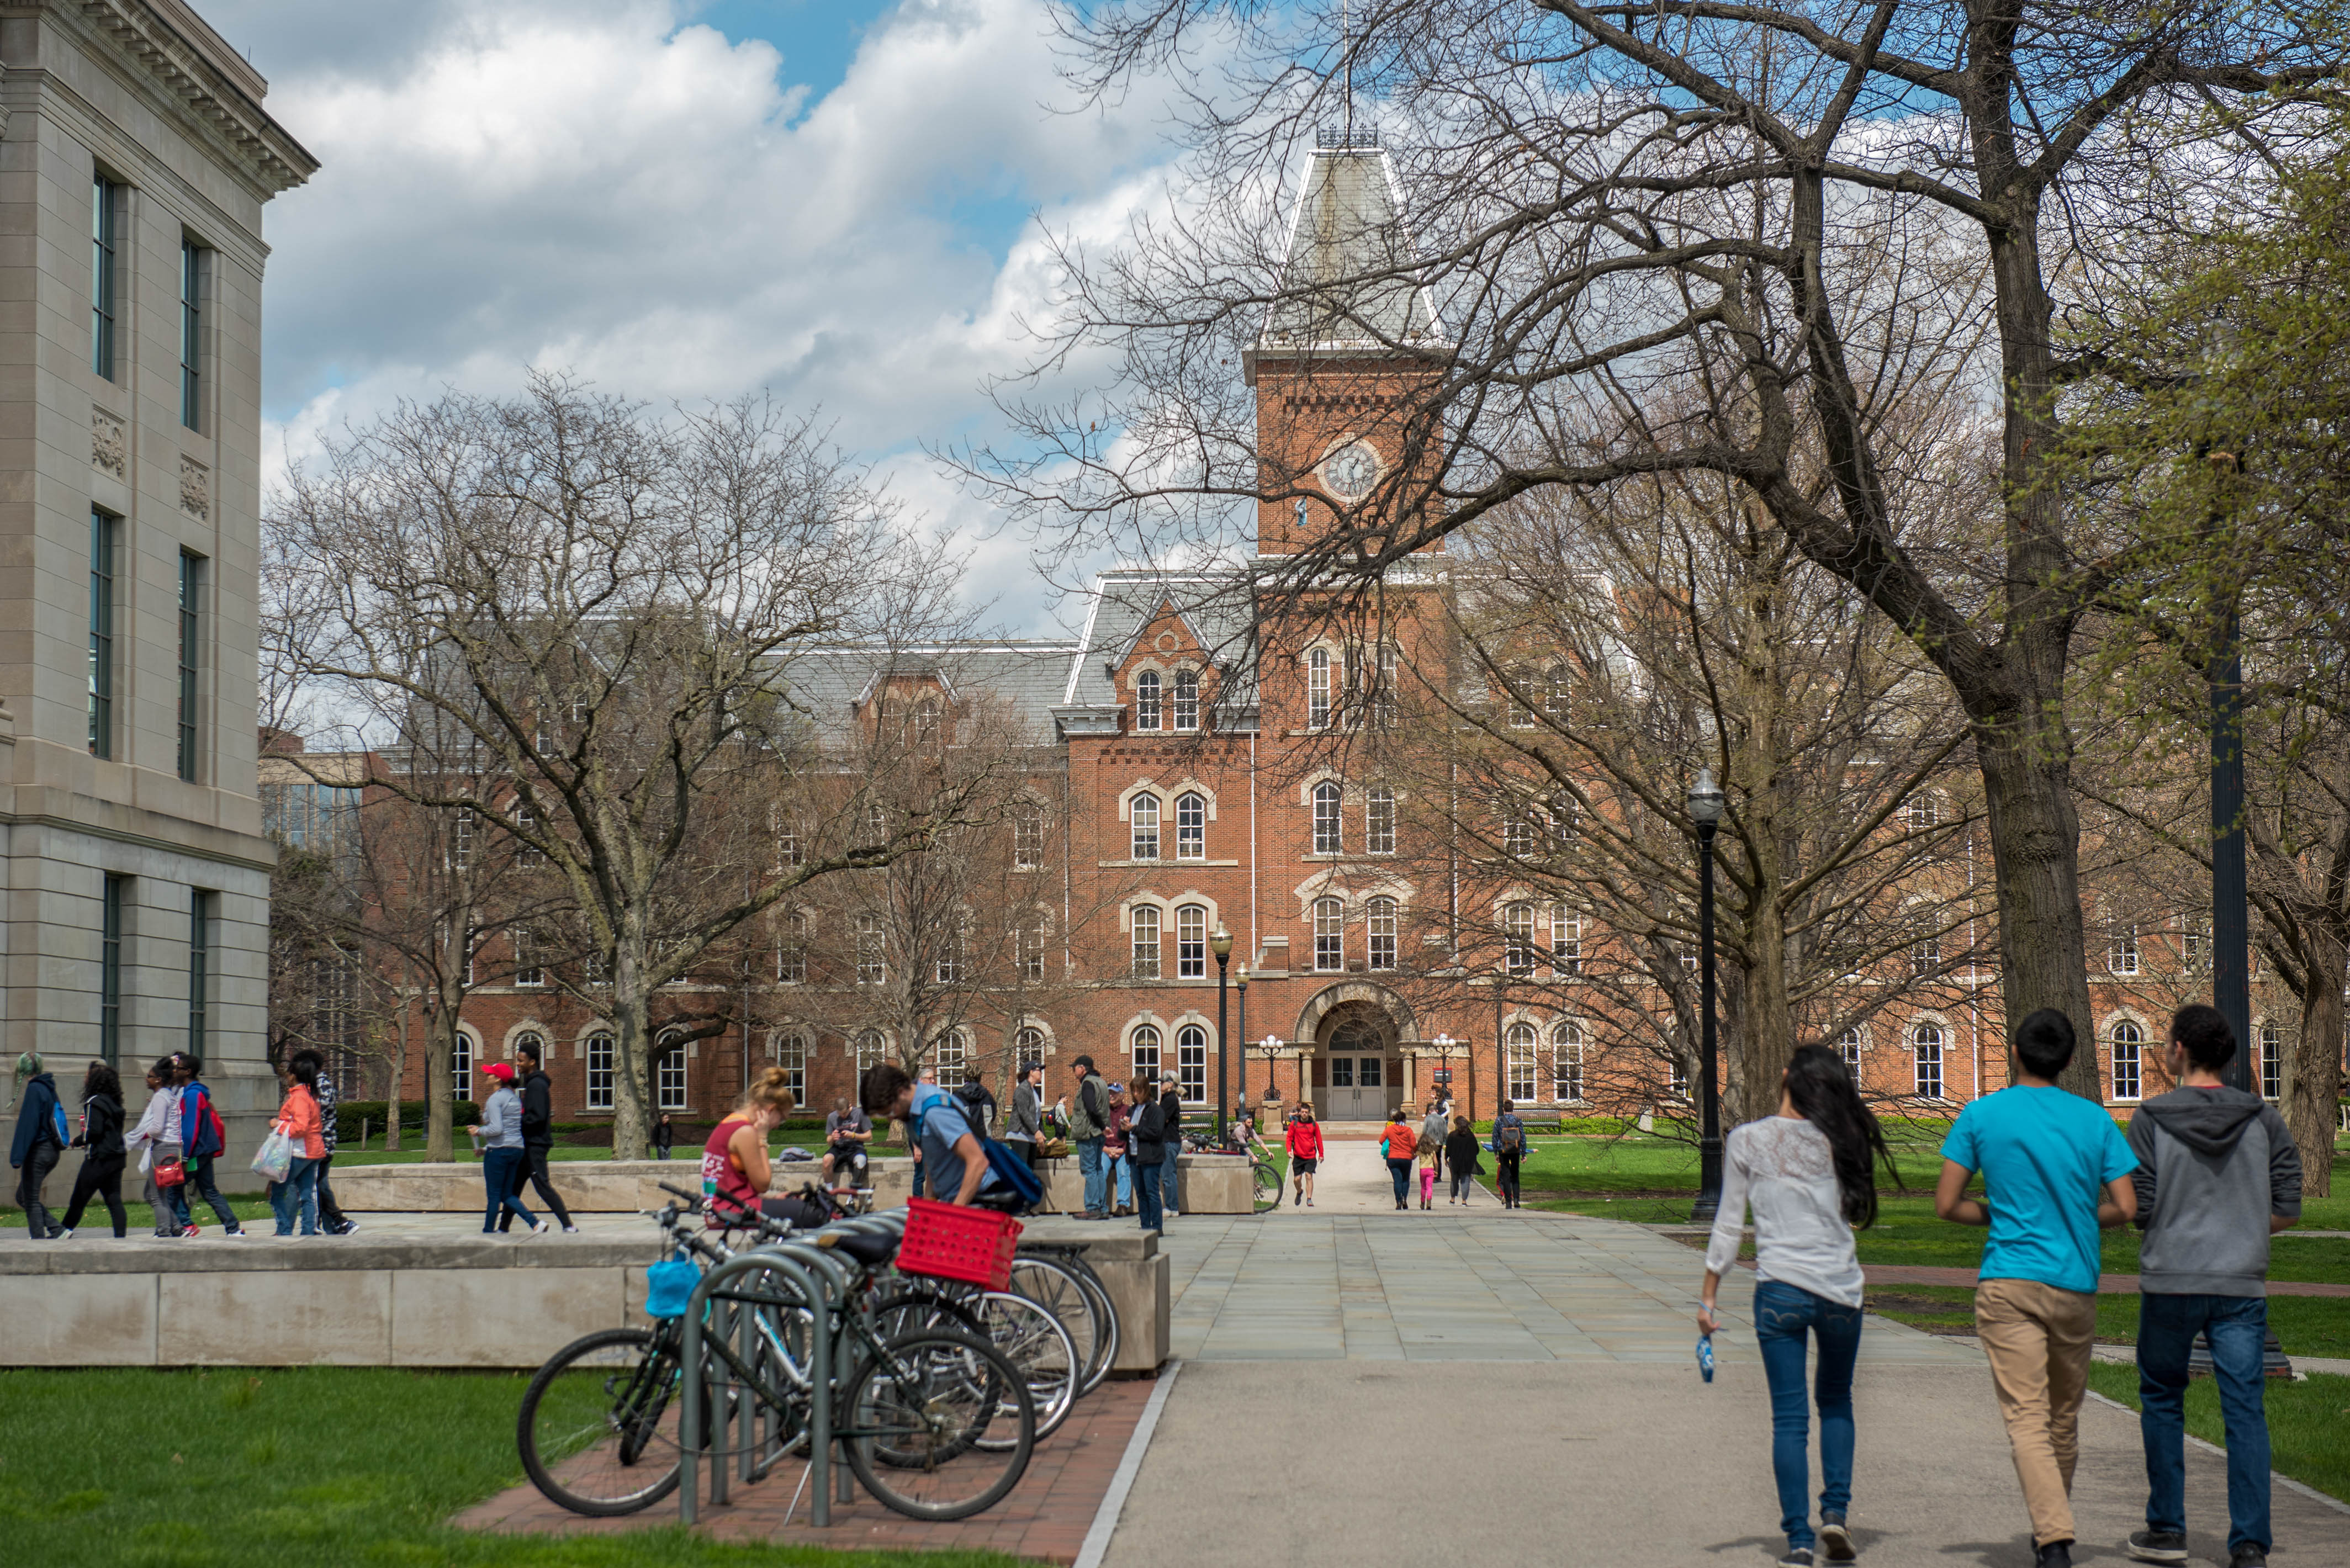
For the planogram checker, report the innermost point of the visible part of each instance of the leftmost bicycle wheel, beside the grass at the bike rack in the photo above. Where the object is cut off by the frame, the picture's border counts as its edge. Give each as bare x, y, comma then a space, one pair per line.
598, 1430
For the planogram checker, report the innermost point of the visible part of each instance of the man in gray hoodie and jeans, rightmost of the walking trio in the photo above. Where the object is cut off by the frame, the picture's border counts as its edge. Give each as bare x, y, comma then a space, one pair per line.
2217, 1177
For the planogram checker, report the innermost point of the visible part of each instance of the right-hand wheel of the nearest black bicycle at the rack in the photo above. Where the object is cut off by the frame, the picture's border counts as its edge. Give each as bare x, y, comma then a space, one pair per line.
932, 1395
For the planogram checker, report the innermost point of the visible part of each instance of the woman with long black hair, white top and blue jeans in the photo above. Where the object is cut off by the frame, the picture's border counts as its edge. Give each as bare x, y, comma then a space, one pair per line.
1811, 1177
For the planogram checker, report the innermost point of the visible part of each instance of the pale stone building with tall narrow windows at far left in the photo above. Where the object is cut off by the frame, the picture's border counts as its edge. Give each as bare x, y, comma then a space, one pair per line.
135, 159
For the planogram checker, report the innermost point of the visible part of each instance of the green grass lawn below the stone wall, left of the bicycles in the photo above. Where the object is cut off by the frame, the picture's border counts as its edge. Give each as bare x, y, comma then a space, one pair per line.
316, 1468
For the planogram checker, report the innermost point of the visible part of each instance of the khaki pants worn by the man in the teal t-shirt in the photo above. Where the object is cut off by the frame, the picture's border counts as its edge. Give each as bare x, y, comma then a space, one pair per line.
2039, 1343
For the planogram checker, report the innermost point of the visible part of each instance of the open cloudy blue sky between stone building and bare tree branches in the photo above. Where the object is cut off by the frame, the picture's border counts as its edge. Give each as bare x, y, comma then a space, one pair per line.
831, 201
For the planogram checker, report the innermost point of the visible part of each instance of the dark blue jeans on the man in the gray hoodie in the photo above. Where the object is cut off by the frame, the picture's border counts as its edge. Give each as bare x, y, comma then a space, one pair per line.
2238, 1327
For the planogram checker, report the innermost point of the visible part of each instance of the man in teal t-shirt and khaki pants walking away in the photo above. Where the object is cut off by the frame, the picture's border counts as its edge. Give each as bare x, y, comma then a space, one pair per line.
2055, 1172
